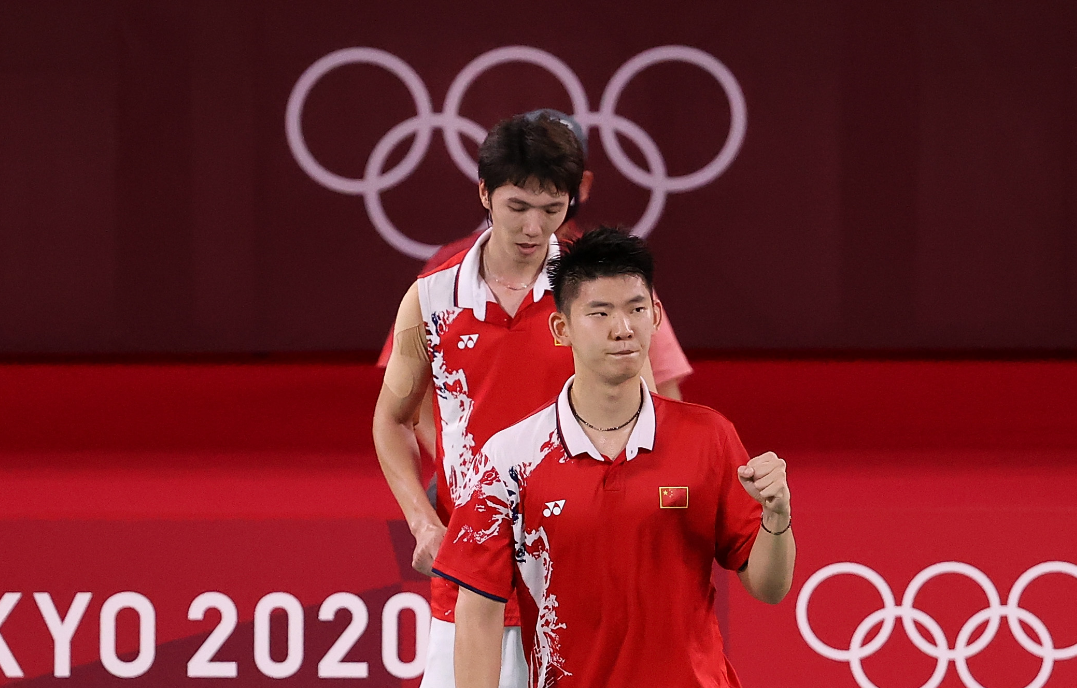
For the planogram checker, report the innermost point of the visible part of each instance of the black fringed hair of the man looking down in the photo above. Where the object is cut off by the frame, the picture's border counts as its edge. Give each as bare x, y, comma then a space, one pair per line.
533, 148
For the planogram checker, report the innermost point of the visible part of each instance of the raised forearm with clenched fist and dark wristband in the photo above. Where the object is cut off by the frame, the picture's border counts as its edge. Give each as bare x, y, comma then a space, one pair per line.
770, 574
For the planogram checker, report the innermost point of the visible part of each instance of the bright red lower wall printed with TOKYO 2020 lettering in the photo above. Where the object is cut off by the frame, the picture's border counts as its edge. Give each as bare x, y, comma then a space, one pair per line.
172, 482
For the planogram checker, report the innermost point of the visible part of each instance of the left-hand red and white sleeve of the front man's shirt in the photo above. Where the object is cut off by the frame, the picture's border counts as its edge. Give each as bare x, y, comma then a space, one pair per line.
478, 553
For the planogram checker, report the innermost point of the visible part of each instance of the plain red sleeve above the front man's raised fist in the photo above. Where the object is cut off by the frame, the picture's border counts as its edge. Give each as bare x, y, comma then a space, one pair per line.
737, 523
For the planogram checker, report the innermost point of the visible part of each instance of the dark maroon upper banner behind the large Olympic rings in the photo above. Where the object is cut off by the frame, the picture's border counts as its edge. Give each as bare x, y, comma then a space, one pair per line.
251, 177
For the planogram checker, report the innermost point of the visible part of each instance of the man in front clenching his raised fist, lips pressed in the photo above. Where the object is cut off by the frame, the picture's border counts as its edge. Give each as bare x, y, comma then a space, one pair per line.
605, 511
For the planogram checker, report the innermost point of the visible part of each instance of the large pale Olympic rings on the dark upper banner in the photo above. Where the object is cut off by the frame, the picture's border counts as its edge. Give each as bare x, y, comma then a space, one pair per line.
422, 127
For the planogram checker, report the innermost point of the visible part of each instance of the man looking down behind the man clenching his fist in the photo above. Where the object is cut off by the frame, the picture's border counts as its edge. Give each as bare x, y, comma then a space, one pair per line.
477, 329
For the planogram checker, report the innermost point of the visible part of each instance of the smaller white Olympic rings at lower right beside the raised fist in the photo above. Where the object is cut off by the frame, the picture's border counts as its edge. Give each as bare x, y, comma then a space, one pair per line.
941, 651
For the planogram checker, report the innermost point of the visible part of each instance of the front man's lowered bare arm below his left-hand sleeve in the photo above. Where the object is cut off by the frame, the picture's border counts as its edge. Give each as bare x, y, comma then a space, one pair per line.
481, 625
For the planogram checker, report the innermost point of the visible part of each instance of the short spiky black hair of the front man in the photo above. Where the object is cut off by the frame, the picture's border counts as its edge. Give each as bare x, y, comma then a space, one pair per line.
602, 252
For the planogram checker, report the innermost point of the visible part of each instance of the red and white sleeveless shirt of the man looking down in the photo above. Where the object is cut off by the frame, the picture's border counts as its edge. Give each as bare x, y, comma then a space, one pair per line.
489, 371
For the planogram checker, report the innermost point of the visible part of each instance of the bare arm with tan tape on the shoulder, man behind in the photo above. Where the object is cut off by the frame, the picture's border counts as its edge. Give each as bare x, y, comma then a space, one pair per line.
408, 378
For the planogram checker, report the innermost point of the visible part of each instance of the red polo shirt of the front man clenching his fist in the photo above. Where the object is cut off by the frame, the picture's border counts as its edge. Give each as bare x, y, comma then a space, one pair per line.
611, 560
